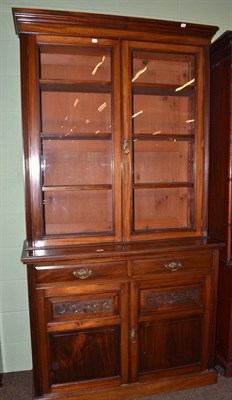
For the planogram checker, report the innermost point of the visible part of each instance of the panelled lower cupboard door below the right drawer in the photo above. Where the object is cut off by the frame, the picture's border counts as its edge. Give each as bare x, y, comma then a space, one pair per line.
169, 333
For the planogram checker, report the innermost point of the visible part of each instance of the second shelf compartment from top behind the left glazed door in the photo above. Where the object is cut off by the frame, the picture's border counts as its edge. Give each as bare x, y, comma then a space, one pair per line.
69, 113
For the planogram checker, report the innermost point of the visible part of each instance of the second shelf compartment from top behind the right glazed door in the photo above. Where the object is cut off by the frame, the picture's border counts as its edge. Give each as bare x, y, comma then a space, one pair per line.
165, 115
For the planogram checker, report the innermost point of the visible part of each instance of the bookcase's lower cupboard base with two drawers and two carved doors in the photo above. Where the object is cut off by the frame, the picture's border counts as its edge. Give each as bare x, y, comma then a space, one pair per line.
120, 336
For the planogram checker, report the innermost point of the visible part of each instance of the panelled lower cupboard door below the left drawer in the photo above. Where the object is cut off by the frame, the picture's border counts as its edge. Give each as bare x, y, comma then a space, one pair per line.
86, 333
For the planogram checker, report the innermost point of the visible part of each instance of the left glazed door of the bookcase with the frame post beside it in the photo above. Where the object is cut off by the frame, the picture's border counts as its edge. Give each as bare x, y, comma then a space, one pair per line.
74, 140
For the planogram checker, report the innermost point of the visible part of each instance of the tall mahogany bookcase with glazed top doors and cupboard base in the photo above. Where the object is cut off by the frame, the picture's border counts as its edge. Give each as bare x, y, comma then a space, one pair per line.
122, 276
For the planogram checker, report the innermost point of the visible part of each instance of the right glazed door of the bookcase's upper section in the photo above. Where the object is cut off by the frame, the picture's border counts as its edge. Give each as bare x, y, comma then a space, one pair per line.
163, 136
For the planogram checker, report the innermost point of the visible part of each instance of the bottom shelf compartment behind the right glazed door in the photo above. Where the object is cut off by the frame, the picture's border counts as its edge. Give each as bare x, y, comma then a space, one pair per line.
163, 208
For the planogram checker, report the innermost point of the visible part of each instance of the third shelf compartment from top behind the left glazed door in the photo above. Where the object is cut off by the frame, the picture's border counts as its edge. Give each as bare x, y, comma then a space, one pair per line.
77, 162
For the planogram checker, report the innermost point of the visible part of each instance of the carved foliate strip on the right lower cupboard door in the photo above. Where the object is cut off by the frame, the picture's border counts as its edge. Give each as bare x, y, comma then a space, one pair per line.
180, 296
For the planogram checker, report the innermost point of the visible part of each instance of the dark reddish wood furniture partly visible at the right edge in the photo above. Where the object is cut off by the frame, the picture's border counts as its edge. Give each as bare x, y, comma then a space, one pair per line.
220, 219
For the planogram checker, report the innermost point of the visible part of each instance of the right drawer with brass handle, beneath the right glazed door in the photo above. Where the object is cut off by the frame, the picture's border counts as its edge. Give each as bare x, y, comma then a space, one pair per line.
179, 263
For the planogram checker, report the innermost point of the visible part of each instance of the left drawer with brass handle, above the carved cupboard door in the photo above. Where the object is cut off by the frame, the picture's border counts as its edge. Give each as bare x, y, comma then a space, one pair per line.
81, 272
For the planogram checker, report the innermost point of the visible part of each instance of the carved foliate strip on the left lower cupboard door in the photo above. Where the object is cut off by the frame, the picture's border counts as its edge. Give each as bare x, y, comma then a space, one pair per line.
85, 307
